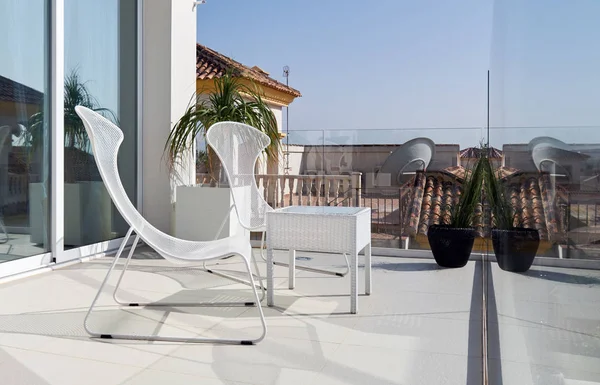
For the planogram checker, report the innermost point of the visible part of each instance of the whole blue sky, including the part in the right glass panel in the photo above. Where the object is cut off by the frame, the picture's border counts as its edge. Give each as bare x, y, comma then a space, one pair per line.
411, 65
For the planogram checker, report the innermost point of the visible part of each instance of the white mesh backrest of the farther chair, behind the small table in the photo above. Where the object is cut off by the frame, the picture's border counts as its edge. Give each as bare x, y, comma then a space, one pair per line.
238, 146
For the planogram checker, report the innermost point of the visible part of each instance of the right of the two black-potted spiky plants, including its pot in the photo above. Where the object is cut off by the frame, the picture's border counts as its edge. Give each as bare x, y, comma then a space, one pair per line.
514, 245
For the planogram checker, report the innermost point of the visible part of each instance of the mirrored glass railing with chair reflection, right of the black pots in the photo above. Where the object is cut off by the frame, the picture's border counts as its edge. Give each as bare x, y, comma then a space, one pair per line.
553, 178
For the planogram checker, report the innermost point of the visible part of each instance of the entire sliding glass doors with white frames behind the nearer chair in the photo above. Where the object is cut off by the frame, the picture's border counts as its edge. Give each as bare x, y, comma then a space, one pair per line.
52, 198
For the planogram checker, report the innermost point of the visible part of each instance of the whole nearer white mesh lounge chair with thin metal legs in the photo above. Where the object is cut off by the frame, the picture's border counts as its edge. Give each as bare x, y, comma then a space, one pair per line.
106, 138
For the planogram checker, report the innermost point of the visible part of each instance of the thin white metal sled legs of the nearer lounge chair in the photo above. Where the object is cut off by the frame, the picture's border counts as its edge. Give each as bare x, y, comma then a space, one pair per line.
175, 339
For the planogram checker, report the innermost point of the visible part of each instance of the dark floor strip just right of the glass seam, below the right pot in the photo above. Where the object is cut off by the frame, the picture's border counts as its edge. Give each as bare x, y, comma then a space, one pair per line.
493, 334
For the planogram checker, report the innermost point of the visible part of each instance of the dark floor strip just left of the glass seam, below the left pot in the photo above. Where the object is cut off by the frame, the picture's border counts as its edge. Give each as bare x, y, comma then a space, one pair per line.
475, 344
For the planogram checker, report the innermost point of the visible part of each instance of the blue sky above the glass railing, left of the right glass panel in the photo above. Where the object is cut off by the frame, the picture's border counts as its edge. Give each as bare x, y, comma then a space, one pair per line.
364, 65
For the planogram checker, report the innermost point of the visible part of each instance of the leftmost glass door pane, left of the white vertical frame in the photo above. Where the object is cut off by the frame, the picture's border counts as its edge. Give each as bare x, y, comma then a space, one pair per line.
24, 129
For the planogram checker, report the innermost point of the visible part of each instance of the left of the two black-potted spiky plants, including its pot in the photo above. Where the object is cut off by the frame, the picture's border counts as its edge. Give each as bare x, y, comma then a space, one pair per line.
451, 242
